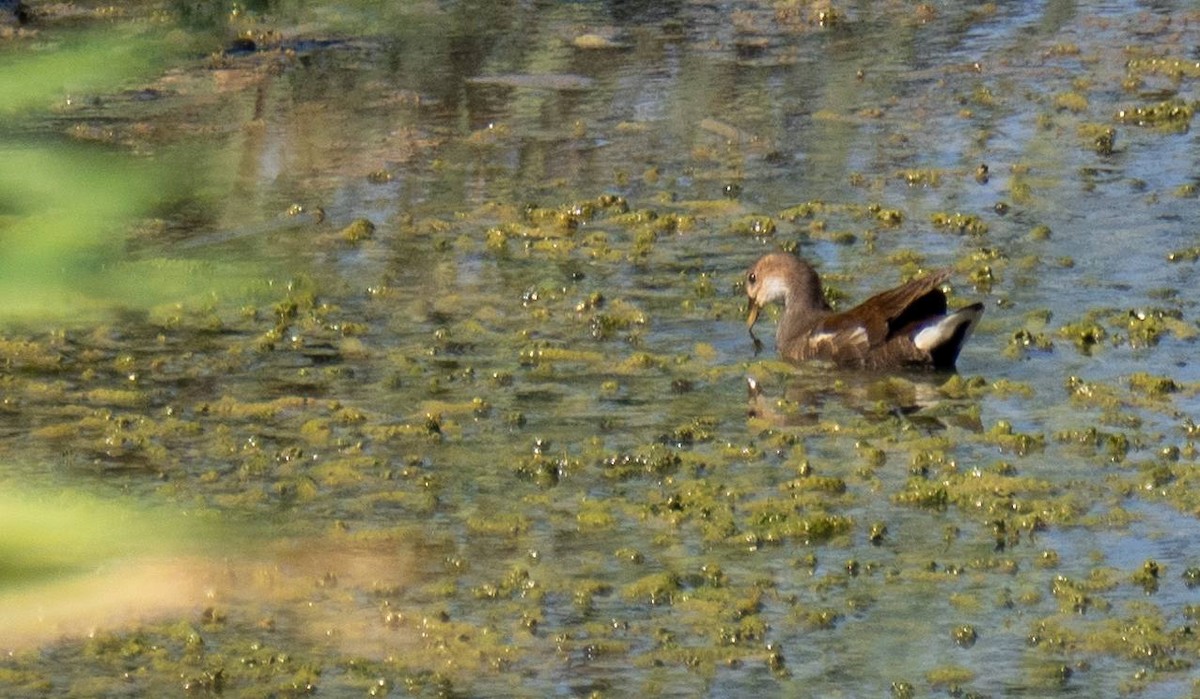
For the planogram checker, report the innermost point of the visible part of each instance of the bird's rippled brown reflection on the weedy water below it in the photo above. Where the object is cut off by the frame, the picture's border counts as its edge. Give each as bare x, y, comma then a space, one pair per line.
916, 401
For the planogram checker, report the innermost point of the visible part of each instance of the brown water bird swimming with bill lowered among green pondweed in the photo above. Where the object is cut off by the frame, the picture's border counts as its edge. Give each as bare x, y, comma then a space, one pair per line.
905, 327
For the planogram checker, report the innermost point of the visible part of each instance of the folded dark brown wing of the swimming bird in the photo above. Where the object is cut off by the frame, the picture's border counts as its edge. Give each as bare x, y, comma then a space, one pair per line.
889, 313
